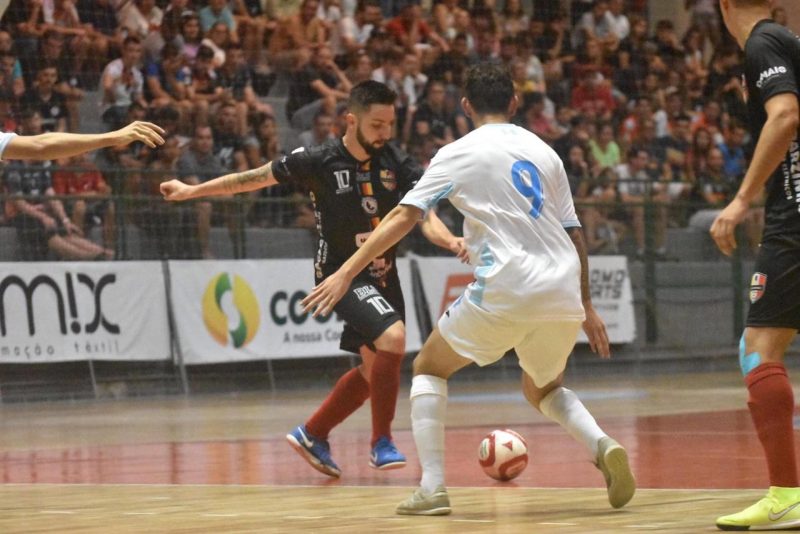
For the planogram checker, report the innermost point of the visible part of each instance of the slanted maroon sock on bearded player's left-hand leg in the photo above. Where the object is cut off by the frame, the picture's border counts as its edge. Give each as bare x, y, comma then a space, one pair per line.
347, 396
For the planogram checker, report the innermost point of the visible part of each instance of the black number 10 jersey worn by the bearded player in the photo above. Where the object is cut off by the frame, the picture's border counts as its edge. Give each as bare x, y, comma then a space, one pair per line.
350, 198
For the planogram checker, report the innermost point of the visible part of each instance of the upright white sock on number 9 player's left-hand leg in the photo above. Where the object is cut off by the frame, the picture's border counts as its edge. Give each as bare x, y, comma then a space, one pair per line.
428, 407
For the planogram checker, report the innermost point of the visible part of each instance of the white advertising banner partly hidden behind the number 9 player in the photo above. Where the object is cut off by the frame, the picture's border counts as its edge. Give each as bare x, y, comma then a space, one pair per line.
444, 279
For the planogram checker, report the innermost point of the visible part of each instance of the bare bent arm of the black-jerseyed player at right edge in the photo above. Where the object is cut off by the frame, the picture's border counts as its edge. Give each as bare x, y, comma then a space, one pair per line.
783, 120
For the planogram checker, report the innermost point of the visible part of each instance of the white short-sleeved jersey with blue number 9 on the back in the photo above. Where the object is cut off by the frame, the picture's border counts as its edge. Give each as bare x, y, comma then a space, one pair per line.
513, 192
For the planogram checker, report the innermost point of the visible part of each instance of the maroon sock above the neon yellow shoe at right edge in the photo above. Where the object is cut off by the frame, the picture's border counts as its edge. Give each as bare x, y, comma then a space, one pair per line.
771, 404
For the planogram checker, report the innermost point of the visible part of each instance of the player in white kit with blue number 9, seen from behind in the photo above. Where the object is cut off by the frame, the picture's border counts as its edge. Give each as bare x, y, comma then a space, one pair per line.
531, 289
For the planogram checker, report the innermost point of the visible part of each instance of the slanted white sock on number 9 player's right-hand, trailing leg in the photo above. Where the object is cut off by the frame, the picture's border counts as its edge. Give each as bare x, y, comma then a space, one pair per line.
564, 407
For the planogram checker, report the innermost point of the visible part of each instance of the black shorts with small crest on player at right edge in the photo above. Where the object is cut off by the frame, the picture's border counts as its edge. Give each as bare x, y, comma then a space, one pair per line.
775, 285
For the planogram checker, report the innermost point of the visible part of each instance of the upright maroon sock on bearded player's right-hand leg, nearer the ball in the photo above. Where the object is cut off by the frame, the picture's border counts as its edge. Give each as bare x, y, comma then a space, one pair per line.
384, 382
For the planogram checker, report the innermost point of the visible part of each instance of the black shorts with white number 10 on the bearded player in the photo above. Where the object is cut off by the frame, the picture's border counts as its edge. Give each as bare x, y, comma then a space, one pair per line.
368, 310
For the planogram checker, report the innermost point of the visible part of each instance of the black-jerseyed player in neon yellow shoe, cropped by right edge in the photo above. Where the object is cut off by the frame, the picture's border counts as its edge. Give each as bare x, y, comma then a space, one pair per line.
772, 78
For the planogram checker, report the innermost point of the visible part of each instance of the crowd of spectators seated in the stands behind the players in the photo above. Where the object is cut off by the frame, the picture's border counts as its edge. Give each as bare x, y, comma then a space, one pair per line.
636, 110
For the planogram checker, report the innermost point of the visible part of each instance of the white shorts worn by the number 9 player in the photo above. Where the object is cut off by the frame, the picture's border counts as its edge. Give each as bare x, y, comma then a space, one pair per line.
542, 346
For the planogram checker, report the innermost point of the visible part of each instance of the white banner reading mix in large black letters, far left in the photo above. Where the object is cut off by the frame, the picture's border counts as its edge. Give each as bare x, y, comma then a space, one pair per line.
66, 311
